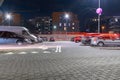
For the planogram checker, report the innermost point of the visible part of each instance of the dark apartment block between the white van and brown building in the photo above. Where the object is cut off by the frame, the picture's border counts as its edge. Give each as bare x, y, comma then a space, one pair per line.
43, 25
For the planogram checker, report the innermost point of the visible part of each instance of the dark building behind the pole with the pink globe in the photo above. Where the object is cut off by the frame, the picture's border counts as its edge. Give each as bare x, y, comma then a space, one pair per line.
92, 24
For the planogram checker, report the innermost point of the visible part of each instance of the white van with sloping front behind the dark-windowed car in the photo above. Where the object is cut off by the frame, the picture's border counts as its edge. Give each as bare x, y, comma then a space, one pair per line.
20, 31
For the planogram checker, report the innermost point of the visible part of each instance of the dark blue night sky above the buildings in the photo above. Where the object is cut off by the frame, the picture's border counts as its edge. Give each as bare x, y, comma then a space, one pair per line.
84, 8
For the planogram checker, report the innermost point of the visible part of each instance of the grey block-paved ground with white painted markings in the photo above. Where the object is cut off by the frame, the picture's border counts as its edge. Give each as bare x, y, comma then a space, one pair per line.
60, 60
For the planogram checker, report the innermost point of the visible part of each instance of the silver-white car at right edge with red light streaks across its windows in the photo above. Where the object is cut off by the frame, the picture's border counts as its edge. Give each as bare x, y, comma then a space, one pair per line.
106, 40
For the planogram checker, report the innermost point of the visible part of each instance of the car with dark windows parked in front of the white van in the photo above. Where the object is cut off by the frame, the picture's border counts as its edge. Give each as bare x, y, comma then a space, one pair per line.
11, 38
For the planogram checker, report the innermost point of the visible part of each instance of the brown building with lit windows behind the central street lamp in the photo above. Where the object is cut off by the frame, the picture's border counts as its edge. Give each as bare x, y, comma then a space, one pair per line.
65, 21
